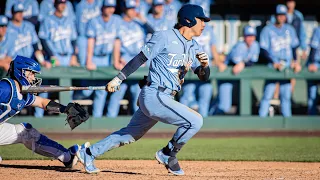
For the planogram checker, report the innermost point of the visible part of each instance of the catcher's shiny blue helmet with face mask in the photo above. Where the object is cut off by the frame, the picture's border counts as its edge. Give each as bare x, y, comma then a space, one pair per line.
18, 67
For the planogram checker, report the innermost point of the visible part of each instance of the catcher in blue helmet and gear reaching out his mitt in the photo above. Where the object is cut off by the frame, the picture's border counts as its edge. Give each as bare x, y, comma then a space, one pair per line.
22, 73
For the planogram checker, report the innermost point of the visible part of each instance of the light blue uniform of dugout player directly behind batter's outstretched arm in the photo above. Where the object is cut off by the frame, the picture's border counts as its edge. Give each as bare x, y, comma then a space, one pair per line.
132, 36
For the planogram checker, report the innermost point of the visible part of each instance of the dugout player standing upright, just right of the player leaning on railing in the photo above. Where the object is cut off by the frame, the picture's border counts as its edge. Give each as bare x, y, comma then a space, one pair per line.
278, 42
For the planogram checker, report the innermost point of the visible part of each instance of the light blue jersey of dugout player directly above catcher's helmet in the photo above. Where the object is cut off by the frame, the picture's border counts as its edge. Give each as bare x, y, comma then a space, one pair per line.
26, 37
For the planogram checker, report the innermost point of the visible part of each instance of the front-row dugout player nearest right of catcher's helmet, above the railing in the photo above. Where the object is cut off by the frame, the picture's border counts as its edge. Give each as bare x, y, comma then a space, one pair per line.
58, 37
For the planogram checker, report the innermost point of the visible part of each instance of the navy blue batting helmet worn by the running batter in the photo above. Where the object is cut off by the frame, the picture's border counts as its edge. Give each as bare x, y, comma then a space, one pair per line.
190, 12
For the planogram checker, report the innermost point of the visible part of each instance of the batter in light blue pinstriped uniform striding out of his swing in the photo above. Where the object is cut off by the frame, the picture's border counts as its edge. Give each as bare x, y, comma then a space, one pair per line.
172, 53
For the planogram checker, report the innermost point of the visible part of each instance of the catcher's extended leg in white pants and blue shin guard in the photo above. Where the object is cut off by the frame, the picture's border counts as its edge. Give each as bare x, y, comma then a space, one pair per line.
24, 133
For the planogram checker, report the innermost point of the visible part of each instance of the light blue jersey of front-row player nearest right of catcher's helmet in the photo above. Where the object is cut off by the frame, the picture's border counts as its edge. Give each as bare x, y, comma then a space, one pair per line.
58, 33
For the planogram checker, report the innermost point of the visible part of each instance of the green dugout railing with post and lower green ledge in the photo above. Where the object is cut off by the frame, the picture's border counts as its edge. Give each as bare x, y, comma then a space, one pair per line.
245, 120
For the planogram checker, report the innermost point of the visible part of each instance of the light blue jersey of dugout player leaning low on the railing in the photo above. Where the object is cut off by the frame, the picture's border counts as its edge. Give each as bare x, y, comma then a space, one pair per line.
242, 53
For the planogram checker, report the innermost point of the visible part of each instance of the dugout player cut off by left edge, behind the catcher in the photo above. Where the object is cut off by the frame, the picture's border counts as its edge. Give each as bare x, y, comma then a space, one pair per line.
6, 44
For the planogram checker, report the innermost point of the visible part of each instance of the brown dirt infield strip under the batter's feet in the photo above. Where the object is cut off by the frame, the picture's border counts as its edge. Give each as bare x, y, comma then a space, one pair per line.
141, 170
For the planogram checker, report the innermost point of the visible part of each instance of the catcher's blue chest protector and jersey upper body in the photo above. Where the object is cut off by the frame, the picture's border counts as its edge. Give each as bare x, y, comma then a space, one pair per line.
16, 102
